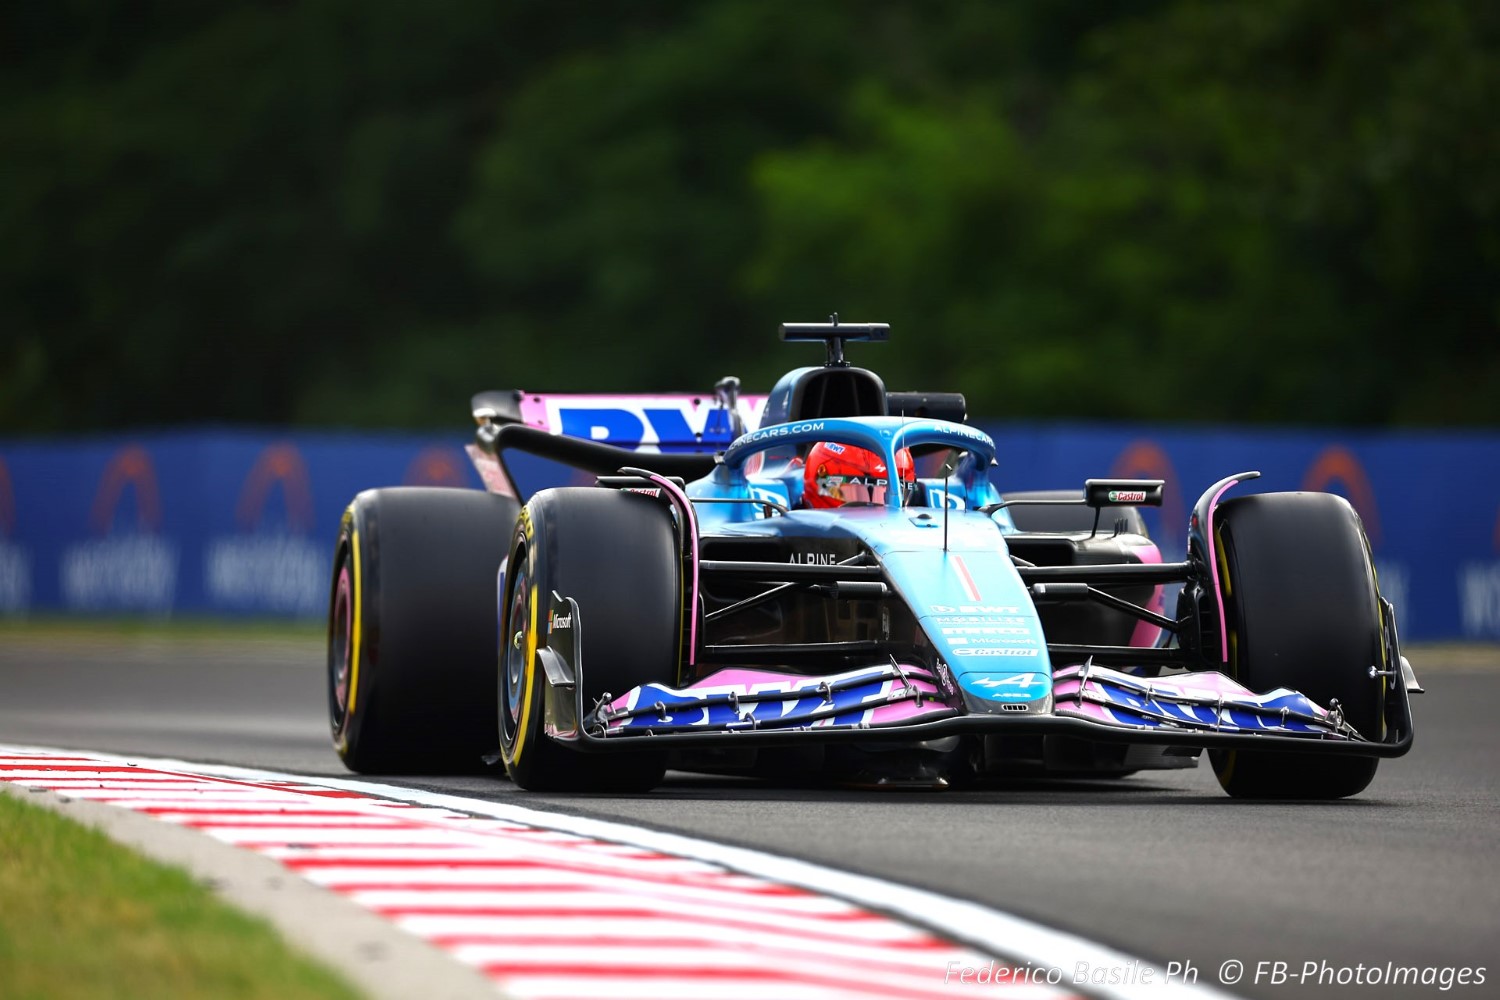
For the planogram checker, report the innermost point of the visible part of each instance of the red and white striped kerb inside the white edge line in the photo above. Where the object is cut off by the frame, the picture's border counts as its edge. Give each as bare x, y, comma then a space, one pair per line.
545, 912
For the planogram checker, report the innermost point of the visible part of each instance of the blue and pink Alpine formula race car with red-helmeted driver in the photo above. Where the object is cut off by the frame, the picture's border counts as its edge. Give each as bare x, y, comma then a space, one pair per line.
824, 582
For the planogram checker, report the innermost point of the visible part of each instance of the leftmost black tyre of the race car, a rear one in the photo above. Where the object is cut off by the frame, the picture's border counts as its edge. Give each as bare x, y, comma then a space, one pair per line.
412, 629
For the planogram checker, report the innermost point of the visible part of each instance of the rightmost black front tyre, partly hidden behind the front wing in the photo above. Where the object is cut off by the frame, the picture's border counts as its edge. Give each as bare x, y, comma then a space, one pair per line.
1303, 612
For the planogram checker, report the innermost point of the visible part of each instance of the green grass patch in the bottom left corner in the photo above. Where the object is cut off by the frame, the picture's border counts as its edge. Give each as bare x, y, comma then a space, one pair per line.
83, 918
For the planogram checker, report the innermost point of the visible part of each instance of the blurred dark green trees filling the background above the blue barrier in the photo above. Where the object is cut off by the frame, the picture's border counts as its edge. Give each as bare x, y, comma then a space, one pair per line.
359, 214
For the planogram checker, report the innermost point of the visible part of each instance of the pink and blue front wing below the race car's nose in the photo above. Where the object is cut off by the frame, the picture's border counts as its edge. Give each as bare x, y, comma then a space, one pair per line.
907, 702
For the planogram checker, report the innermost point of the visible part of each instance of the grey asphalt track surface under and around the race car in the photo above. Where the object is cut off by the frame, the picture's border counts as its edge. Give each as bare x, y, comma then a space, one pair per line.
1162, 864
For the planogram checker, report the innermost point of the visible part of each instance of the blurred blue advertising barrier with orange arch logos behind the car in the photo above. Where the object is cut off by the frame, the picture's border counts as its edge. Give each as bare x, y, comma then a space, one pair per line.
236, 522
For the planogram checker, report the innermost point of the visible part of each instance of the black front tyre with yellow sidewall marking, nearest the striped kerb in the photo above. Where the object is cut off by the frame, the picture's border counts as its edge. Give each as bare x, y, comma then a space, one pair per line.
616, 554
